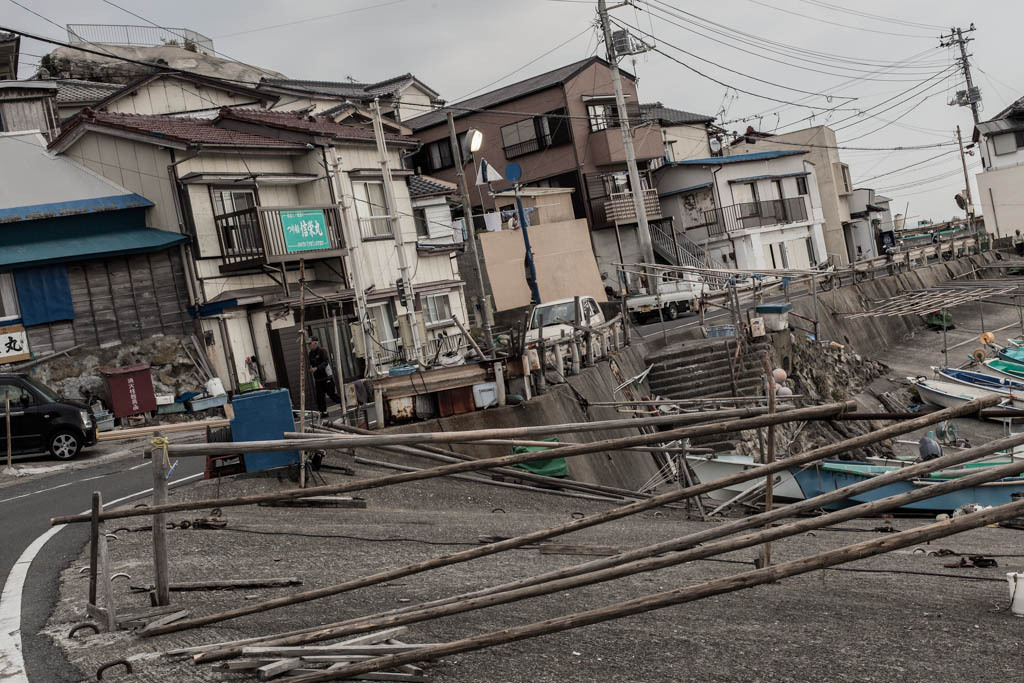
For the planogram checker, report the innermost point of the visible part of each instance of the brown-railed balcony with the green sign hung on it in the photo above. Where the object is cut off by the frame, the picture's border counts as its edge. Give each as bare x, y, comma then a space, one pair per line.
278, 235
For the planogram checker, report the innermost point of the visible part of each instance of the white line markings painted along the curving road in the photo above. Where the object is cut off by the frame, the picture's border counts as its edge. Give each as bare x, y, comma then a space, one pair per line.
12, 661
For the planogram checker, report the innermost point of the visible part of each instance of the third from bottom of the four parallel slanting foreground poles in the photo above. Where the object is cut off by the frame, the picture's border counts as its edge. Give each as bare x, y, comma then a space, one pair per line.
425, 612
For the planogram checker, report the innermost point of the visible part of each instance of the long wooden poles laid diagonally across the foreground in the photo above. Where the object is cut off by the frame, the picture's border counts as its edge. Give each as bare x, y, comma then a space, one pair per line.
710, 542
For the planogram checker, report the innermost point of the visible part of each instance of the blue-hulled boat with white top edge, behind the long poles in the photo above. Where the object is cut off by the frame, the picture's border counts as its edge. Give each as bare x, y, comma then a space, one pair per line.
830, 476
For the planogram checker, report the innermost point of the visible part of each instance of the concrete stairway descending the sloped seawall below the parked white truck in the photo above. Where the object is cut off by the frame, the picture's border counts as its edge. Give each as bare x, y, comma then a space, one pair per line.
704, 370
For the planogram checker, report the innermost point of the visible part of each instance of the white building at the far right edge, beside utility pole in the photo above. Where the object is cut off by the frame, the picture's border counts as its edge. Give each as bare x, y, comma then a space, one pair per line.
1000, 185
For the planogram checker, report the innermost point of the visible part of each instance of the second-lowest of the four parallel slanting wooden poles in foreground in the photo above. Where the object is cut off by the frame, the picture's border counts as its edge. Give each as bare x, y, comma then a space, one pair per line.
653, 563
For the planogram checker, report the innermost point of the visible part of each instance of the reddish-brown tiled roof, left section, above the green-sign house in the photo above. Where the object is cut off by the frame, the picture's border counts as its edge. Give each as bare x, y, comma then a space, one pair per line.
181, 130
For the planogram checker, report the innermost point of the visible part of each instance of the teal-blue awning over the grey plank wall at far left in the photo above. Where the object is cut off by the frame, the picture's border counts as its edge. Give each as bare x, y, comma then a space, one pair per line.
60, 249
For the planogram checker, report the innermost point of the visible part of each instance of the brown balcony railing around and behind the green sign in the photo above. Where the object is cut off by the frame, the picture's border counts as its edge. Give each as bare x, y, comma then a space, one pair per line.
258, 235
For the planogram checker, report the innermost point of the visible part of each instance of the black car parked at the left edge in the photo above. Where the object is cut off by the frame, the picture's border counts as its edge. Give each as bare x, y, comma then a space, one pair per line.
42, 421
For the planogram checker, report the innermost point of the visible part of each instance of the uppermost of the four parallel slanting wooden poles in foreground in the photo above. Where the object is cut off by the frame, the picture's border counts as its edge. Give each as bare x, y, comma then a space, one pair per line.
601, 519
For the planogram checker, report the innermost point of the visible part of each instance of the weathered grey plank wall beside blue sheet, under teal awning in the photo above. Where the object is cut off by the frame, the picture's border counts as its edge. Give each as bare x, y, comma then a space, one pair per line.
120, 300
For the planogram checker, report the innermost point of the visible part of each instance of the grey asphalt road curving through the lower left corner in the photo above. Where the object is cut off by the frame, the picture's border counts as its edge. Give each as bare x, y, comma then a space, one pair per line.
26, 510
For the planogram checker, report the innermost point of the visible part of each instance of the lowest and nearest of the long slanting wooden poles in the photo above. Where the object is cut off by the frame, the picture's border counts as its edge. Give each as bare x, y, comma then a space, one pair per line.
681, 595
